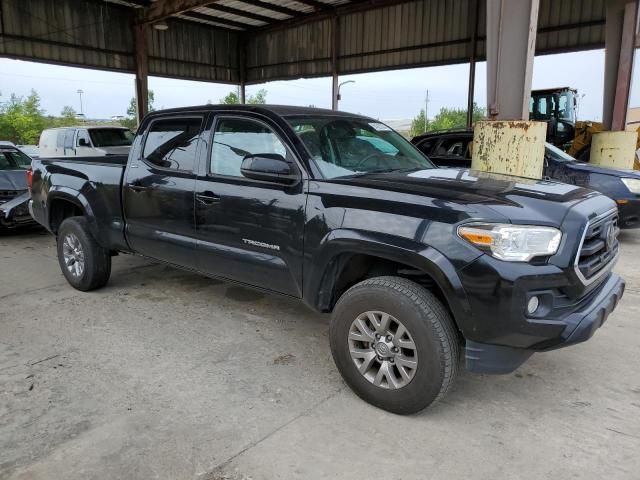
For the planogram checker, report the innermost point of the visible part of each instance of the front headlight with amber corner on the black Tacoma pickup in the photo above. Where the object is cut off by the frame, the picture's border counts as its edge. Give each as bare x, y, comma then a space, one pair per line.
513, 243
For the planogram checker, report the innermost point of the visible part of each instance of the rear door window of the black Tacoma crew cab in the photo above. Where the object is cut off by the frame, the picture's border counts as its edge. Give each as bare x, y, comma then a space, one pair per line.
173, 143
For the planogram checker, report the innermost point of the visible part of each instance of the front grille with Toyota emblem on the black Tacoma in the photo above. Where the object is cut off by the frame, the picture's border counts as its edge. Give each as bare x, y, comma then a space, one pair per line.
599, 247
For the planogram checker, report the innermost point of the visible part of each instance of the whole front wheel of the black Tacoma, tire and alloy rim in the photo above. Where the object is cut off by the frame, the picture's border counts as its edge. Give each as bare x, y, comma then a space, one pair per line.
394, 344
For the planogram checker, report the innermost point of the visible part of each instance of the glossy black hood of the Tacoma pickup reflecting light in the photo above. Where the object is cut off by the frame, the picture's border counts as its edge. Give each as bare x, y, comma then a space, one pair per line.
516, 199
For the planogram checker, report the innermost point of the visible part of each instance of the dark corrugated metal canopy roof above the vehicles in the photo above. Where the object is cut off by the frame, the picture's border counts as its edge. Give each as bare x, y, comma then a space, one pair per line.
262, 40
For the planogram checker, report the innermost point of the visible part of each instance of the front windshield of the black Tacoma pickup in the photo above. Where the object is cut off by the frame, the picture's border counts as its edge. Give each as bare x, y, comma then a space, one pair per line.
343, 146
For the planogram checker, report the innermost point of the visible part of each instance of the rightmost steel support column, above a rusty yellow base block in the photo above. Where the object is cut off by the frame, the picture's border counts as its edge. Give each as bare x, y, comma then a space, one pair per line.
620, 36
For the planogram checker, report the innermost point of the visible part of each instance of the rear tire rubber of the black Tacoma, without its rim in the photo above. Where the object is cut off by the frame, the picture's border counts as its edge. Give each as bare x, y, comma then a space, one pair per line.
97, 260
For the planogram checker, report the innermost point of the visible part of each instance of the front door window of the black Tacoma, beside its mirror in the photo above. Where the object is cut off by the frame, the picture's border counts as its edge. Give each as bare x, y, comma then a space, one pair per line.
235, 138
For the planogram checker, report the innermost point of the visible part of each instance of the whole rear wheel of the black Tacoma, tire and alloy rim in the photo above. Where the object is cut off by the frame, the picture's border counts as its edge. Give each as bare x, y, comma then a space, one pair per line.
84, 263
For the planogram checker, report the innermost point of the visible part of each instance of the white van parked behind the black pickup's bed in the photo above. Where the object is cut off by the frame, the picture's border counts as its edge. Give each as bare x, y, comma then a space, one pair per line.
85, 141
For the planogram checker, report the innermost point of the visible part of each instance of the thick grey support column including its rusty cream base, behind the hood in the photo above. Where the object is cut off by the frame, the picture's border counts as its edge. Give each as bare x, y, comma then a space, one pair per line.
512, 145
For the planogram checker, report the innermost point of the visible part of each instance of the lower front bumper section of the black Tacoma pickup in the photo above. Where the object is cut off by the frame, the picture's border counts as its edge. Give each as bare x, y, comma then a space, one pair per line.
576, 327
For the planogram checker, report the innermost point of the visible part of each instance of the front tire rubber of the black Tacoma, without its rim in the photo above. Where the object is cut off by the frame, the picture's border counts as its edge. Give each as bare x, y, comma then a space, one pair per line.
431, 327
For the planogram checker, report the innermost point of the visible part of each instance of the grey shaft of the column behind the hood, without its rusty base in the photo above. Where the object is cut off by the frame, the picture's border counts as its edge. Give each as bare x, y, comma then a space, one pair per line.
511, 42
